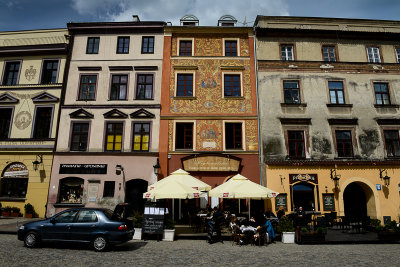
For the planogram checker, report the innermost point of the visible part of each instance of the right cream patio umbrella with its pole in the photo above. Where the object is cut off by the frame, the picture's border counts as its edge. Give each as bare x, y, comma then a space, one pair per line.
240, 187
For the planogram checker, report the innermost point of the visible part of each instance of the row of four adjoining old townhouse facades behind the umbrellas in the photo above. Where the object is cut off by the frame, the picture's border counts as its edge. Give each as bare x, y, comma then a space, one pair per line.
93, 114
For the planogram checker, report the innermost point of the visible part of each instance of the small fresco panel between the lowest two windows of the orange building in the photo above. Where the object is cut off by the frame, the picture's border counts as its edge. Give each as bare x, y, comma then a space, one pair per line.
209, 135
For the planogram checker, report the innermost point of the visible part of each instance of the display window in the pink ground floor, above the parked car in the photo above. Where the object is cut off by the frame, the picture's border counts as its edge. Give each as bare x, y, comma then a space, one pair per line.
71, 190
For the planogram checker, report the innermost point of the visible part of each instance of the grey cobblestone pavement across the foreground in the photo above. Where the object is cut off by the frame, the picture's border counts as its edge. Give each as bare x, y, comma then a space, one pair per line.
197, 253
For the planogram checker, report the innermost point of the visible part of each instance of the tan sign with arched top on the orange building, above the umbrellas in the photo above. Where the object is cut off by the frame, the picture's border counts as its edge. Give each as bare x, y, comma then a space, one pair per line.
211, 163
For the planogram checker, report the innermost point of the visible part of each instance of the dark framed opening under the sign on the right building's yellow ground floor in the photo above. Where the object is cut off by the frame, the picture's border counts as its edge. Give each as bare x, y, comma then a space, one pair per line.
303, 196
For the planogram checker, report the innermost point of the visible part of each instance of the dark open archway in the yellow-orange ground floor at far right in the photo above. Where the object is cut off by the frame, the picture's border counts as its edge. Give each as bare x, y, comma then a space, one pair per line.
355, 201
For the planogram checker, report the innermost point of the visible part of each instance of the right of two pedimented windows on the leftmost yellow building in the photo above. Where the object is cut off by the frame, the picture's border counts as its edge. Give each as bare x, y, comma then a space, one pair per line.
42, 125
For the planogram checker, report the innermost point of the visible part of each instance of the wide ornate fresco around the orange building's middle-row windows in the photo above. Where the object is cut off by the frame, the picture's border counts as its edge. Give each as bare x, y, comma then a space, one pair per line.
208, 88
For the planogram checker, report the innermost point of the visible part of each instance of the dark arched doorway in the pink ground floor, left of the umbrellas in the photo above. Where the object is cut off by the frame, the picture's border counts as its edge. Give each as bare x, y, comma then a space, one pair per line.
134, 193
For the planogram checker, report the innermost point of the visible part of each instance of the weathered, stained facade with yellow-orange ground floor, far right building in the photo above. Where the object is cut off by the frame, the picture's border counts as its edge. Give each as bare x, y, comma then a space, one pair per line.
329, 98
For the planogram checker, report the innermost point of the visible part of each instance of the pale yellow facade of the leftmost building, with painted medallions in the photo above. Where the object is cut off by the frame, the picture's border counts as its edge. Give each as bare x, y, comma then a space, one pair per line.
32, 65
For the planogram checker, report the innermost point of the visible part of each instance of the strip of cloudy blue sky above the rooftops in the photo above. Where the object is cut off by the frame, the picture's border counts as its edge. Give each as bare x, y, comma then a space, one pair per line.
41, 14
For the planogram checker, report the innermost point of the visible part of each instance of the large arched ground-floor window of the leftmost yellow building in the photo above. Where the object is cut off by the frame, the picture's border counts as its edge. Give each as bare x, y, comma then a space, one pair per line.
14, 181
